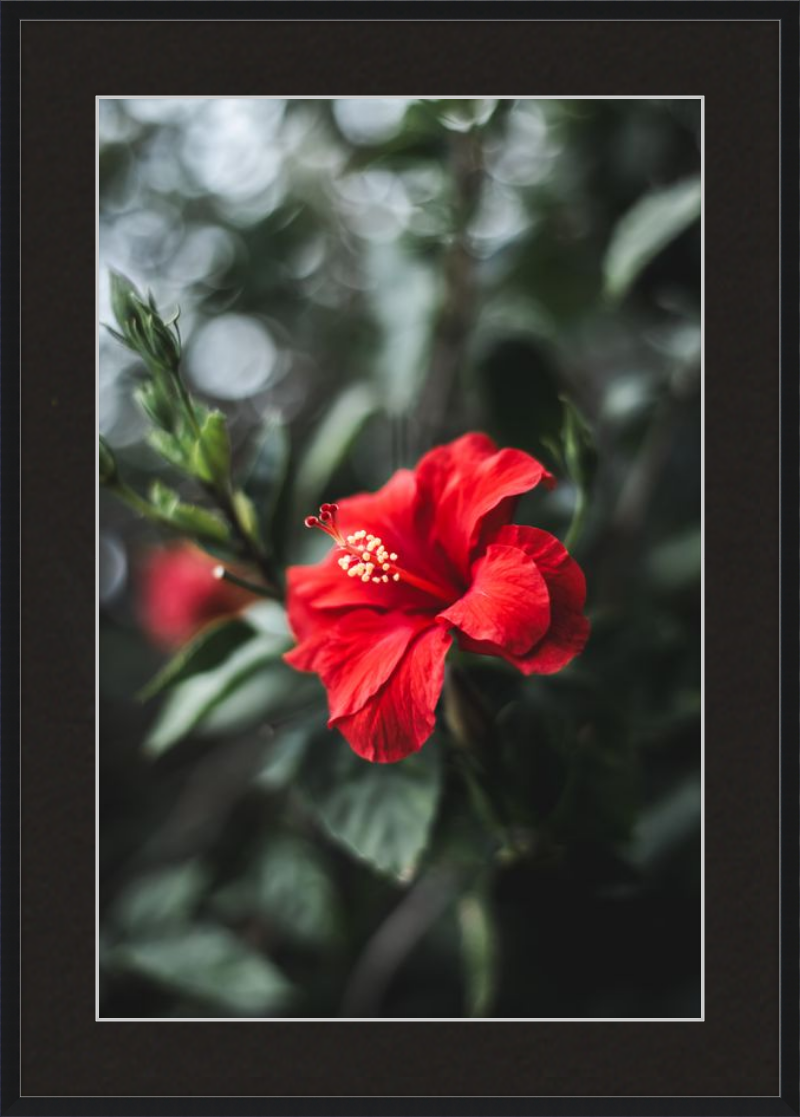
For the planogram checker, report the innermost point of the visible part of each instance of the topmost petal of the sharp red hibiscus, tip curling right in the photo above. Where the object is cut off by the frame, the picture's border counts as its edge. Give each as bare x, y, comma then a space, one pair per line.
461, 484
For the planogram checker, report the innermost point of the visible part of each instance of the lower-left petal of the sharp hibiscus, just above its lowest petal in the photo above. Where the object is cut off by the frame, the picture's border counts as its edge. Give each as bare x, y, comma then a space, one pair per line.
356, 654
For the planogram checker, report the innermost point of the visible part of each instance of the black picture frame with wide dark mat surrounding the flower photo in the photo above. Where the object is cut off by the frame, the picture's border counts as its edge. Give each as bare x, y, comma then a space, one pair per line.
55, 62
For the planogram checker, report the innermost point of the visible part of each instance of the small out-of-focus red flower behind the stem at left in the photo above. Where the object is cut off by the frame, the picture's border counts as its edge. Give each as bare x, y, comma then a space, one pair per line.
179, 595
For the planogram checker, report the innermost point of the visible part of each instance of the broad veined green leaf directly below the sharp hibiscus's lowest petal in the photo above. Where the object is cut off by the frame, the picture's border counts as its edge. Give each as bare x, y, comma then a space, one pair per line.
383, 814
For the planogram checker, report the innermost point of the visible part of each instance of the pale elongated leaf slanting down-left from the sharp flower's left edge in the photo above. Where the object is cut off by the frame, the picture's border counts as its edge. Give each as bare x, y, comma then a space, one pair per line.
198, 696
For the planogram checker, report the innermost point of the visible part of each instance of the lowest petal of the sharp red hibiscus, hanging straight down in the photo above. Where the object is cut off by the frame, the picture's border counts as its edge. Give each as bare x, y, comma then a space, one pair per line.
401, 718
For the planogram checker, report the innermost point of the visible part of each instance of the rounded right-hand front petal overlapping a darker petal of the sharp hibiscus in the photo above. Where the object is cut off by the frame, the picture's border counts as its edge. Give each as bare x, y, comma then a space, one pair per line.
508, 603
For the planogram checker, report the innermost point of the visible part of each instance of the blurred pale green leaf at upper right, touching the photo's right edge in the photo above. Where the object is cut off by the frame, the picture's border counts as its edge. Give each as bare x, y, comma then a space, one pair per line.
646, 230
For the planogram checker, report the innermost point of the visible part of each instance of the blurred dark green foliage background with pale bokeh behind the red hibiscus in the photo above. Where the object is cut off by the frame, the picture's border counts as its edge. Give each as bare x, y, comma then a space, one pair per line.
360, 280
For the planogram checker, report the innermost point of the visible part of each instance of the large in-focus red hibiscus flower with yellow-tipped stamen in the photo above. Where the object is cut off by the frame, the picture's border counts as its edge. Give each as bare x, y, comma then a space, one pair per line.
431, 555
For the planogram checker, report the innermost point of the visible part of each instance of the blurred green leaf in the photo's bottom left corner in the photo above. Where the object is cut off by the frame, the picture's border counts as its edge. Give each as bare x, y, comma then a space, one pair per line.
211, 965
